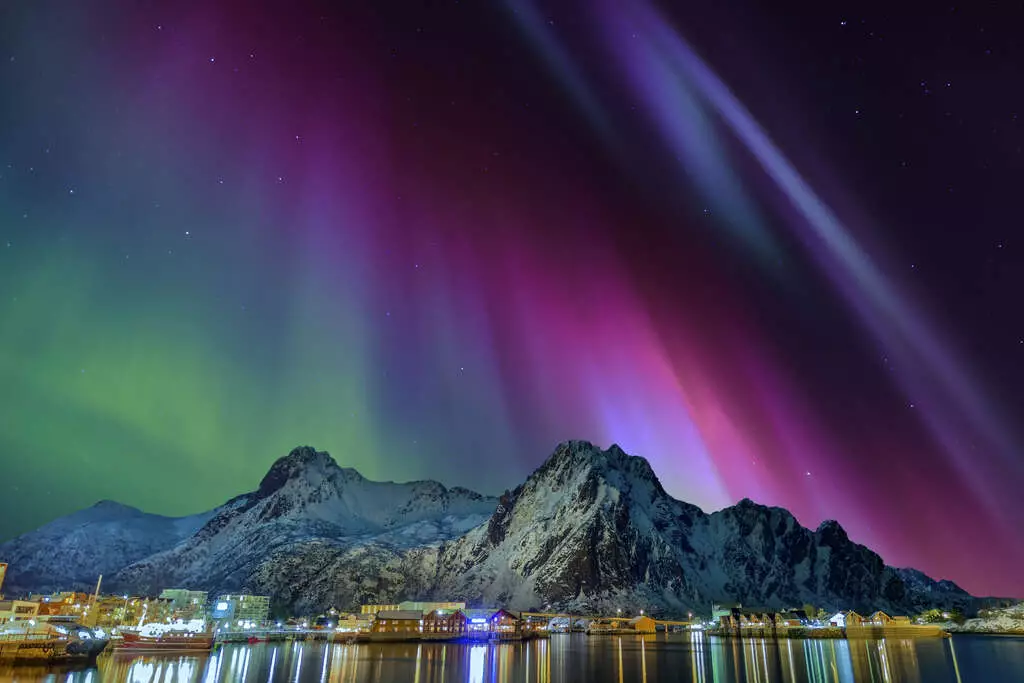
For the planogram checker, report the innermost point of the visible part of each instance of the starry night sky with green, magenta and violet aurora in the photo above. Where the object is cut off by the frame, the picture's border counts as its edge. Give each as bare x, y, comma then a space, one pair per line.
780, 257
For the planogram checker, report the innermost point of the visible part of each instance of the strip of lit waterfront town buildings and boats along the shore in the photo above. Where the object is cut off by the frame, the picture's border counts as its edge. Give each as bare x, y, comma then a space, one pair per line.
78, 625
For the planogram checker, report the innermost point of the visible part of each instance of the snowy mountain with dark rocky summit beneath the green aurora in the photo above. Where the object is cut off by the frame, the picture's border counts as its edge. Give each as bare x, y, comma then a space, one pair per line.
308, 517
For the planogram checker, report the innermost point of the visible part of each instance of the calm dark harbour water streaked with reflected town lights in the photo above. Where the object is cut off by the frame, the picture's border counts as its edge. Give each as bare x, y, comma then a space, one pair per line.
575, 659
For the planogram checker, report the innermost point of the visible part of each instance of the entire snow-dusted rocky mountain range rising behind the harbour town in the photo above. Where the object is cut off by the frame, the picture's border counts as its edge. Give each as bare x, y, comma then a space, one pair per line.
590, 529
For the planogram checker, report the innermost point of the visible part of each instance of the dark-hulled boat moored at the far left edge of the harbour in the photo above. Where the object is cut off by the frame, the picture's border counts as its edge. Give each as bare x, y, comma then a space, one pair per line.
32, 642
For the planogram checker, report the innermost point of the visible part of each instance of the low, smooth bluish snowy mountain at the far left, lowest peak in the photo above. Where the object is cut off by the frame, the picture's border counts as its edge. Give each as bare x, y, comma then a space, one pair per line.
71, 552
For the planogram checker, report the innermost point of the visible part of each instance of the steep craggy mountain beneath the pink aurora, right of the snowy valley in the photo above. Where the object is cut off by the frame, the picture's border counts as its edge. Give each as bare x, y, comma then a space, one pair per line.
595, 529
